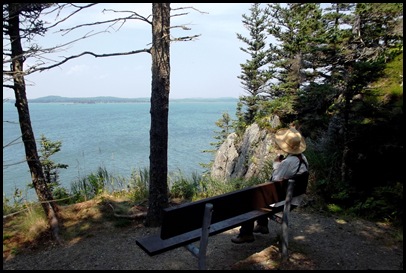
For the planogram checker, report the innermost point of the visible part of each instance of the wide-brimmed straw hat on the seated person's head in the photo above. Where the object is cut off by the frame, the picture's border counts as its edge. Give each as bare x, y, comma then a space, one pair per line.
290, 140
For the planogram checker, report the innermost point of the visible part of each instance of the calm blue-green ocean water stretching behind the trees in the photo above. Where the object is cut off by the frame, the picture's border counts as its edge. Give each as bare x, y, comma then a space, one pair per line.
110, 135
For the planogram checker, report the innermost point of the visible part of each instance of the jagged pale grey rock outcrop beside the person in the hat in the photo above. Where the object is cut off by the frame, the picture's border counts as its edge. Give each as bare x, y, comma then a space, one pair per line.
245, 157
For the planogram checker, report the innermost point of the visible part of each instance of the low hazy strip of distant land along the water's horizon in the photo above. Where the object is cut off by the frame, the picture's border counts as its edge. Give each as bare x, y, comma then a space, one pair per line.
92, 100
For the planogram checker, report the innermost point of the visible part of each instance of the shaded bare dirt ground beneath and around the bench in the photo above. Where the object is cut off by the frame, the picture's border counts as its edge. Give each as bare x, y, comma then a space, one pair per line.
316, 242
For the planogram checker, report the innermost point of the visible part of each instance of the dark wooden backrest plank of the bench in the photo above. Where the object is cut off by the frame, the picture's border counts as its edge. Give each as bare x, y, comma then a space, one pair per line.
186, 217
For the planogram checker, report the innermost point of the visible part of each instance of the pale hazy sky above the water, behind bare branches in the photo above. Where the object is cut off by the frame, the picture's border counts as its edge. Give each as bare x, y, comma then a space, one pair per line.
205, 68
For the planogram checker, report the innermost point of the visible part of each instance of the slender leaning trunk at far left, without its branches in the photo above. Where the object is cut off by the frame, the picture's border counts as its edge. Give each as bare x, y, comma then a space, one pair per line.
44, 195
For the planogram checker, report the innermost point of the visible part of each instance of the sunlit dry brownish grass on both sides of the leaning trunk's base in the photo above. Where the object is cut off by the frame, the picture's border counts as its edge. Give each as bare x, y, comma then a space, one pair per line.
29, 229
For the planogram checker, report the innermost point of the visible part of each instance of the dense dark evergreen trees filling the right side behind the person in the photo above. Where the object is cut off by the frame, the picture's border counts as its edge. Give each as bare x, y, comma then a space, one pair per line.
341, 87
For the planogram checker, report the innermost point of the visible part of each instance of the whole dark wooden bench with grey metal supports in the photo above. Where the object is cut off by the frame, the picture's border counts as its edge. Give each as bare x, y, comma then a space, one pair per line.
184, 224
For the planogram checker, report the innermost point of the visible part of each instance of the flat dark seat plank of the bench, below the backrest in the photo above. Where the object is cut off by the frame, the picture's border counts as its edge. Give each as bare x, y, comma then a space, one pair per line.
154, 245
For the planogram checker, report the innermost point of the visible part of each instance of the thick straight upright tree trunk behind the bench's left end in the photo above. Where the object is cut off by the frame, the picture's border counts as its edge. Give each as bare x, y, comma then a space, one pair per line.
158, 187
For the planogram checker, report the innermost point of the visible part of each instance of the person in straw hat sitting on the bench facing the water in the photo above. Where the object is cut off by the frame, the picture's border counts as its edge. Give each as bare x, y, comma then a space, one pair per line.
293, 143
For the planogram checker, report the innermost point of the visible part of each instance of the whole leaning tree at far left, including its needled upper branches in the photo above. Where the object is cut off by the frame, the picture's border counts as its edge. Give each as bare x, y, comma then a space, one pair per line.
20, 22
